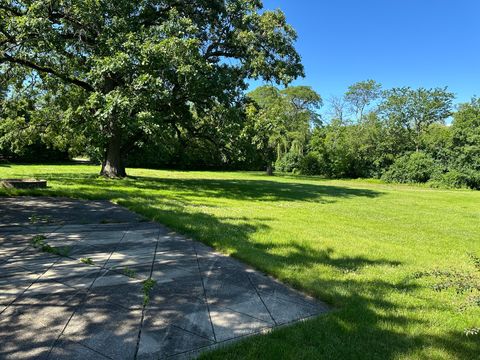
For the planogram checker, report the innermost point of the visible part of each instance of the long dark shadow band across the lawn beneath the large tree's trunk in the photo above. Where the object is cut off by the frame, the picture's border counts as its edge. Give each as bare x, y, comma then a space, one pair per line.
93, 186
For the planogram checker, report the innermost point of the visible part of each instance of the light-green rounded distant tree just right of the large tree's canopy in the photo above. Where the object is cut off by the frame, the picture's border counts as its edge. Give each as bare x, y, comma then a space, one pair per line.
282, 119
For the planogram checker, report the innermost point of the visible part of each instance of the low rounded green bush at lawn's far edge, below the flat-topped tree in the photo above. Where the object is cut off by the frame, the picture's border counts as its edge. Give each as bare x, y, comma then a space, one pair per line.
416, 167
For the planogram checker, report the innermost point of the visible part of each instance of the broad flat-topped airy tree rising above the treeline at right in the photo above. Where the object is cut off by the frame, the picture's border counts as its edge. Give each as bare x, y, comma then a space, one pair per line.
417, 109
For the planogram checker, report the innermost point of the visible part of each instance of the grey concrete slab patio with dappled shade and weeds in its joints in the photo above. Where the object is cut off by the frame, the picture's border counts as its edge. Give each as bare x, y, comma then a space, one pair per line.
91, 303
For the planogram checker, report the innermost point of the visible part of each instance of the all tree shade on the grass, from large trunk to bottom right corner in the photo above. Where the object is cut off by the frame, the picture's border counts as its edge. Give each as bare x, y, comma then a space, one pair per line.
367, 325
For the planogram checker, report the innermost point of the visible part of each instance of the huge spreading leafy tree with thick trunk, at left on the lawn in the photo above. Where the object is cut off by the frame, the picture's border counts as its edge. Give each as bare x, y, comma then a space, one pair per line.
104, 74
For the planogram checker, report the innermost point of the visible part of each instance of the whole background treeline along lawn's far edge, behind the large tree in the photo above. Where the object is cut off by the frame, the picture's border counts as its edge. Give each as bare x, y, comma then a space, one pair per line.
399, 135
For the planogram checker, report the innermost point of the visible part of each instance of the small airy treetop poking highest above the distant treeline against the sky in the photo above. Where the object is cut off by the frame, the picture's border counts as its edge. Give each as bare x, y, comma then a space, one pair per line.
362, 94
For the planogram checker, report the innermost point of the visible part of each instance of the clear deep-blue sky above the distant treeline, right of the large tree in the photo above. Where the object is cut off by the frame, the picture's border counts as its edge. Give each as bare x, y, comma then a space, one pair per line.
417, 43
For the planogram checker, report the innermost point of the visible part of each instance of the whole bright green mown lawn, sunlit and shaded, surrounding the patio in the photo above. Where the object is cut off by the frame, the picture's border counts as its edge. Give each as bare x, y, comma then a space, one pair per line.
353, 244
